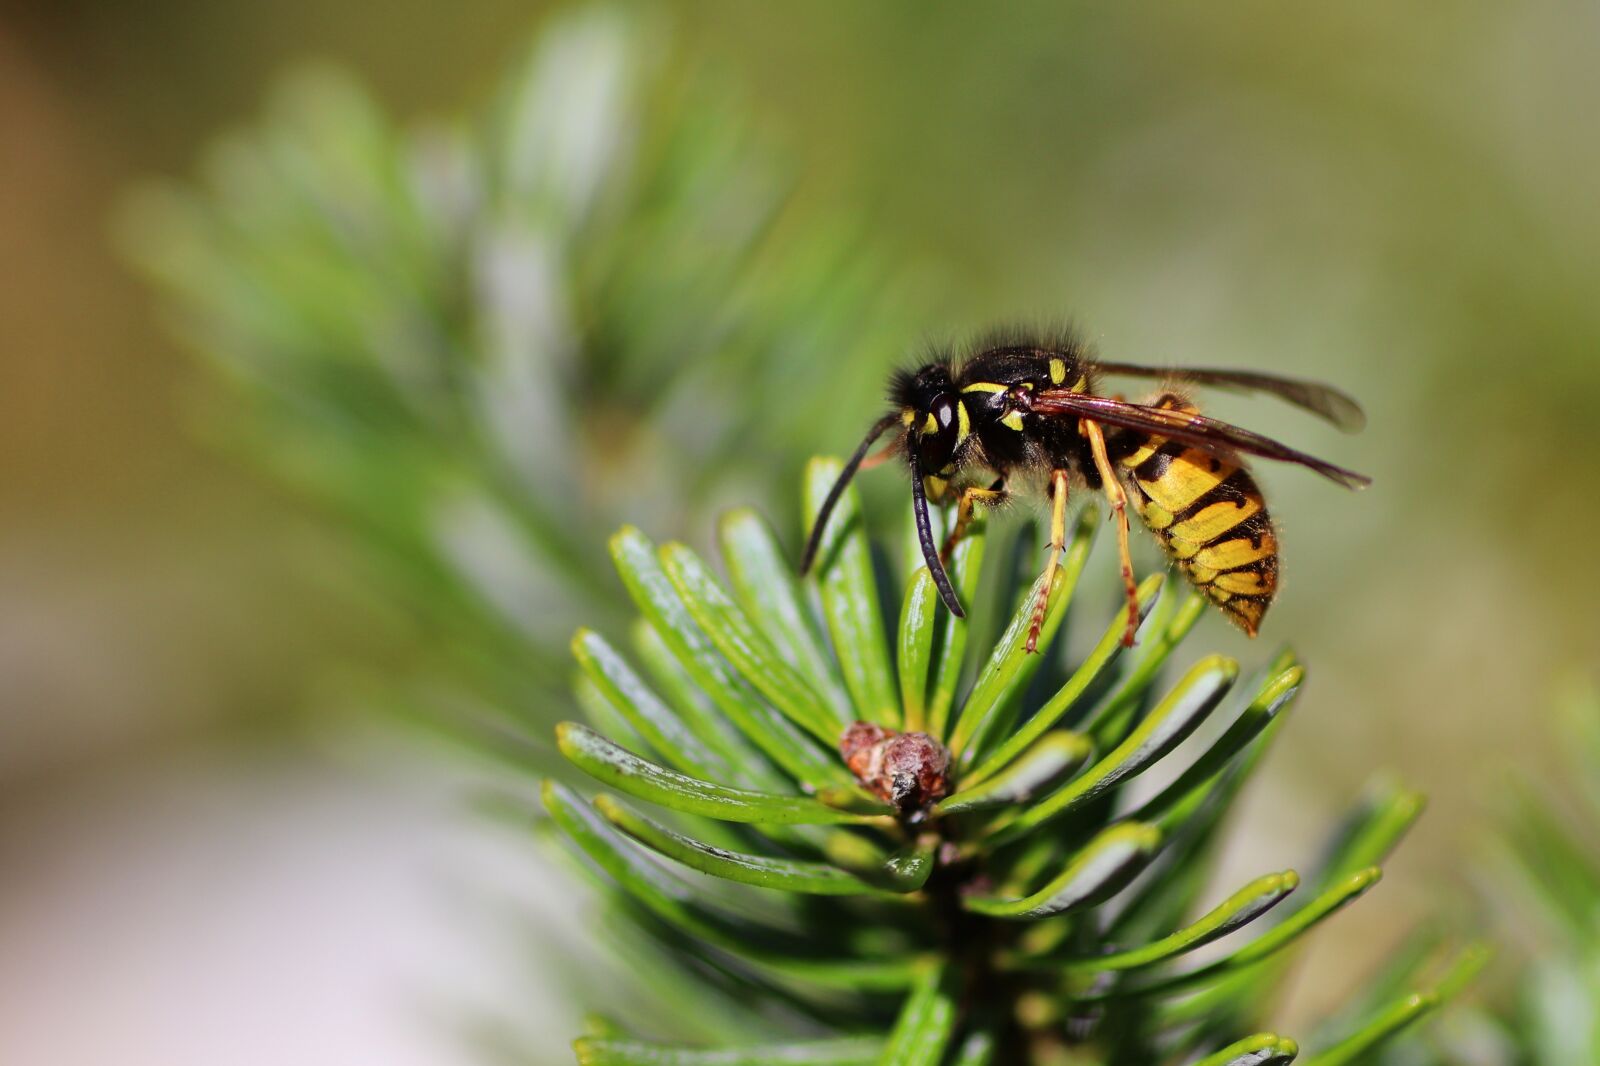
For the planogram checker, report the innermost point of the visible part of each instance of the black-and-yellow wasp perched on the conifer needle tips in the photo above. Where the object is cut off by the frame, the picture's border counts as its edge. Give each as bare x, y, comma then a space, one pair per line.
1028, 415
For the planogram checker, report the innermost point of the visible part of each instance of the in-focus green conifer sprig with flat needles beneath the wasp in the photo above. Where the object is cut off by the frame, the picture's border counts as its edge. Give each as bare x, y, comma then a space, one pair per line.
1042, 913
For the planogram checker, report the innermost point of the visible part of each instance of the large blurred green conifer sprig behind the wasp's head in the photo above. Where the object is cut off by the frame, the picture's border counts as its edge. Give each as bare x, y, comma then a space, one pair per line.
486, 342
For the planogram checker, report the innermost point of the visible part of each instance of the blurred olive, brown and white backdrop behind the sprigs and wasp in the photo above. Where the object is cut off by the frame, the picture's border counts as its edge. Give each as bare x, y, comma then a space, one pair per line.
210, 860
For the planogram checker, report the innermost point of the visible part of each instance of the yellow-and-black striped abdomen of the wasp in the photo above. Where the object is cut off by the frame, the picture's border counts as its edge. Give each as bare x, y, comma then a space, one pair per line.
1210, 518
